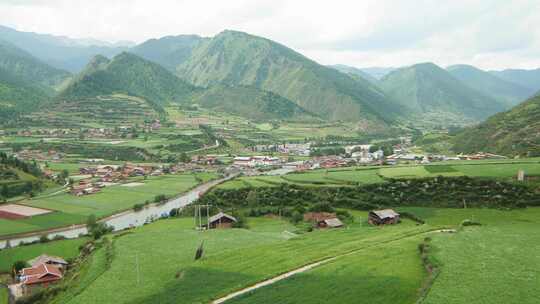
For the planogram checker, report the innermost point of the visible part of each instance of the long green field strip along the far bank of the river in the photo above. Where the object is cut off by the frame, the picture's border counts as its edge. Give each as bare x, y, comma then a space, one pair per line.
70, 209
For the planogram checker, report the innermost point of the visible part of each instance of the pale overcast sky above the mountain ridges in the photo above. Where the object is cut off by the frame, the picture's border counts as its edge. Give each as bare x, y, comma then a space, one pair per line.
491, 34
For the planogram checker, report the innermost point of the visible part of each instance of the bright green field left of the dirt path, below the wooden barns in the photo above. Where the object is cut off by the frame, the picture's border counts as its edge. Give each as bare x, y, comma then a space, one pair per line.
233, 259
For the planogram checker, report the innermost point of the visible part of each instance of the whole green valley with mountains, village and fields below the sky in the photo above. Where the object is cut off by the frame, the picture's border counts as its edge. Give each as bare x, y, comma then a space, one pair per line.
234, 169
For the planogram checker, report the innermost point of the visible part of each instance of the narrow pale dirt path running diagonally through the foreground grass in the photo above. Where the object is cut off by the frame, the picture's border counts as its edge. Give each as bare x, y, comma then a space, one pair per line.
314, 265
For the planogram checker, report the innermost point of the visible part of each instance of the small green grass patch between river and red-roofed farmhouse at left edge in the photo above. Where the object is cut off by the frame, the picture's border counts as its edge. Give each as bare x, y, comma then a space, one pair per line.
65, 248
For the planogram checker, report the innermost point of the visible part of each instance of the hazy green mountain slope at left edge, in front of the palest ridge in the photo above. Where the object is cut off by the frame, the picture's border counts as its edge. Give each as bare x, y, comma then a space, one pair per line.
20, 64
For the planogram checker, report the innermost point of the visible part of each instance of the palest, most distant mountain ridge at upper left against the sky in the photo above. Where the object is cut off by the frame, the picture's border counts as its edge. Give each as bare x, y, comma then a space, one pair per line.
59, 51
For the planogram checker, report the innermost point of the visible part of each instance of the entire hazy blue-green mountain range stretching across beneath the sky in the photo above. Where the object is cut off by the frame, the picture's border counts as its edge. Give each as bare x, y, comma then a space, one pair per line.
235, 71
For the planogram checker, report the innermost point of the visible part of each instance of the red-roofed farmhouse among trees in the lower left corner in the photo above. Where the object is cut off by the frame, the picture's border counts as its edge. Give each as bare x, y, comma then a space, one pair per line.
40, 276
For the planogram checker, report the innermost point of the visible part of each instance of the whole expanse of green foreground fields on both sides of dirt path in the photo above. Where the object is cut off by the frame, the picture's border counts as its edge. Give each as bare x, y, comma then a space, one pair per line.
372, 265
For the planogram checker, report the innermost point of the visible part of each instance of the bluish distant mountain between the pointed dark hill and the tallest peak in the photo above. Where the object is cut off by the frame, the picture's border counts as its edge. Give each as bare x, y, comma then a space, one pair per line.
169, 51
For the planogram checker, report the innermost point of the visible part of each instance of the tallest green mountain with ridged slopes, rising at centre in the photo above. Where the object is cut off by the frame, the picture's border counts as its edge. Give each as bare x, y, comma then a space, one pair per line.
236, 58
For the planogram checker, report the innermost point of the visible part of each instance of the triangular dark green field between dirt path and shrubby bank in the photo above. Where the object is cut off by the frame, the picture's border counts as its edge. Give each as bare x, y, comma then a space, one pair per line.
390, 273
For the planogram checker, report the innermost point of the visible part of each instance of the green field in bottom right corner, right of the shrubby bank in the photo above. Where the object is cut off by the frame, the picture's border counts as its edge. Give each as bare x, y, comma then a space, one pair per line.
492, 264
